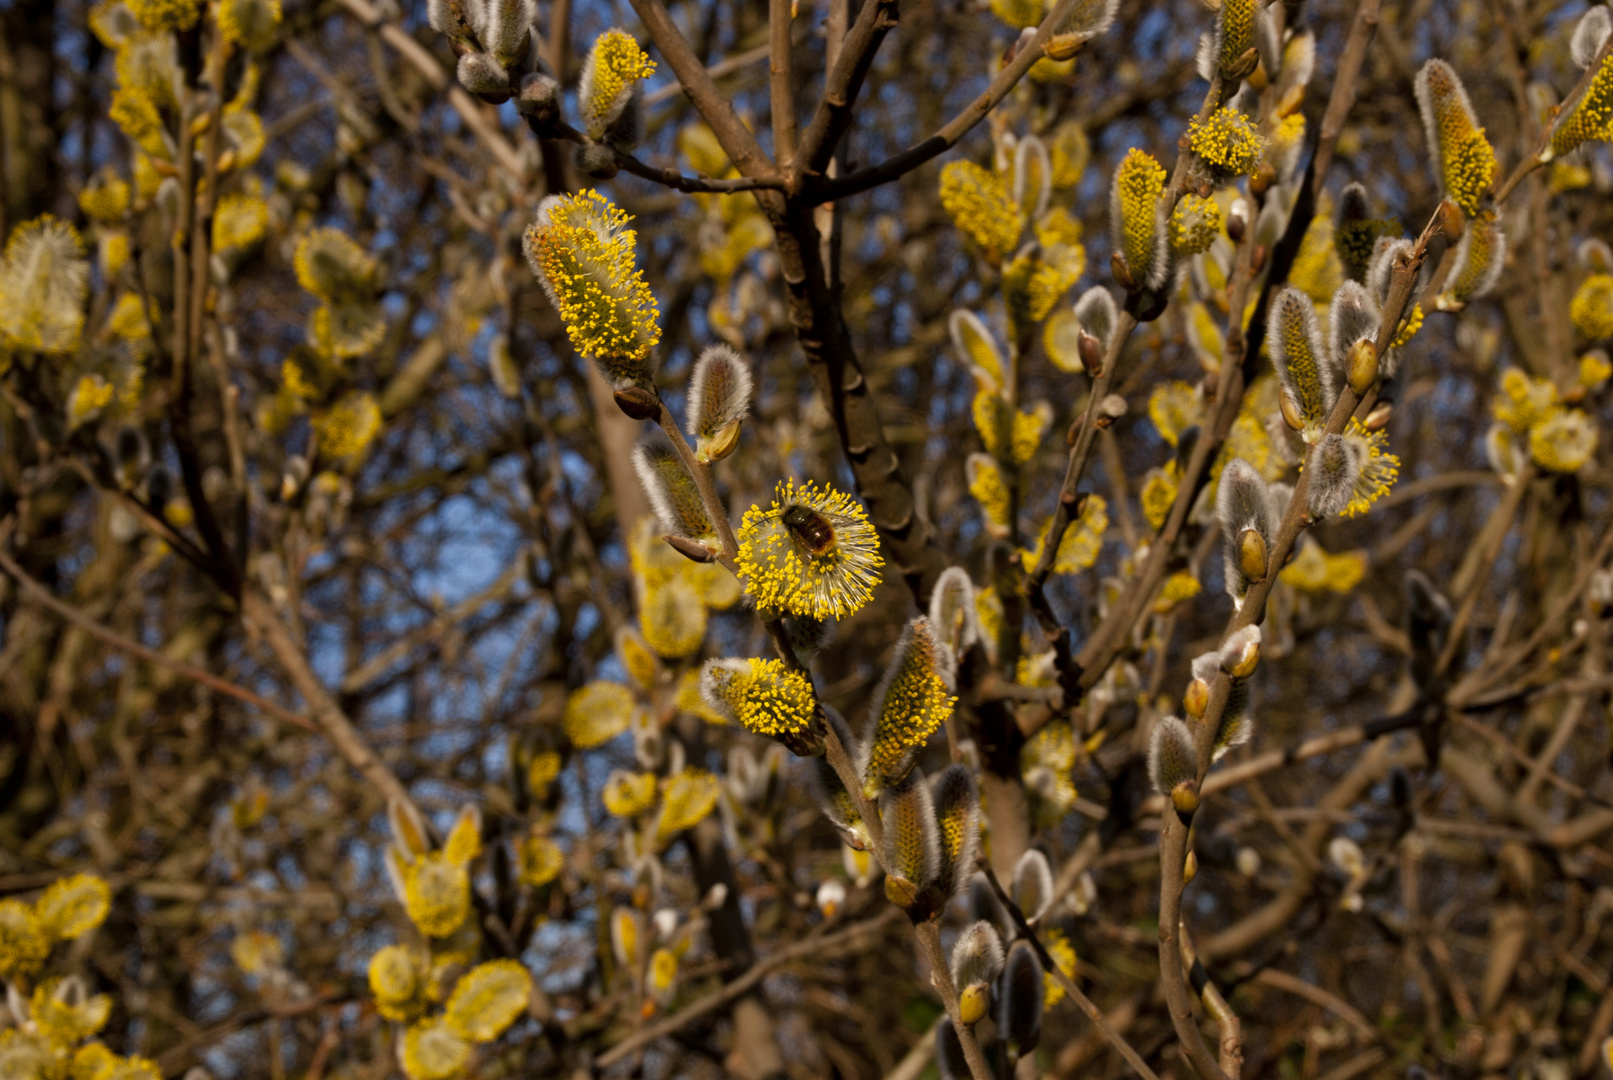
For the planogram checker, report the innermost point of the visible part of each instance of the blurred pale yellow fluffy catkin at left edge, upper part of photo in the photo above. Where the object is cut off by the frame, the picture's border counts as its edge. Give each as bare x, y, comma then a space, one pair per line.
44, 281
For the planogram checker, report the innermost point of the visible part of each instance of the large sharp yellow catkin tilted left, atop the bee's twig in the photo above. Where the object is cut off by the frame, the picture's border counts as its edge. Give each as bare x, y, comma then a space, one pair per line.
583, 252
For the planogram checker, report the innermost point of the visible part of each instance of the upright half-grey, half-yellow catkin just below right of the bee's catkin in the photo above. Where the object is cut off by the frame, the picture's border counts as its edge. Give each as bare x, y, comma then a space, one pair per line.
909, 705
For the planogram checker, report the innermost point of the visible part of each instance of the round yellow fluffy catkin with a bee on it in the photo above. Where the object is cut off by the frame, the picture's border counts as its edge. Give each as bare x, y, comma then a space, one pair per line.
812, 552
